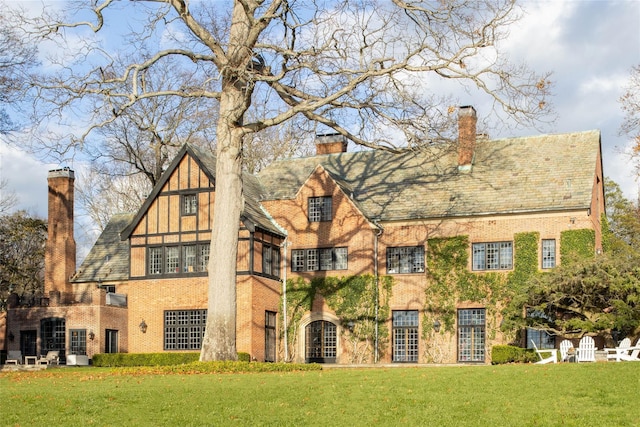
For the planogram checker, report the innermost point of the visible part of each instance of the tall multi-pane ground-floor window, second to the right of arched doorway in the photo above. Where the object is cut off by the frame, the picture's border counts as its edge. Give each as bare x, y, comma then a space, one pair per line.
471, 335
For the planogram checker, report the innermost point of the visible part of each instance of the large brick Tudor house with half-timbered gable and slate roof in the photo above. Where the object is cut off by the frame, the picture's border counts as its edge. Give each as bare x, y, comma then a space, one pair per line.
318, 224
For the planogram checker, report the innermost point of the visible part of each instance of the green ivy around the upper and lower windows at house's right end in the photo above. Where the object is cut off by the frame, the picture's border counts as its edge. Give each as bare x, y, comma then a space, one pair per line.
449, 280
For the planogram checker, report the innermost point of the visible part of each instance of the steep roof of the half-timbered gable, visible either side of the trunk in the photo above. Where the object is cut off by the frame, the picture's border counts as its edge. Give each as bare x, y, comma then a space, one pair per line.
206, 160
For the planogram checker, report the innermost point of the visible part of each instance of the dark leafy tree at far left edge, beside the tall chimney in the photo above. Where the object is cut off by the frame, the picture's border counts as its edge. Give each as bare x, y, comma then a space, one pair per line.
22, 242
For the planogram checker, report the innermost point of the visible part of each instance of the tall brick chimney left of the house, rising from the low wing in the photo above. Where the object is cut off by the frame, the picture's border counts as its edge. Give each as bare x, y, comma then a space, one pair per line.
60, 253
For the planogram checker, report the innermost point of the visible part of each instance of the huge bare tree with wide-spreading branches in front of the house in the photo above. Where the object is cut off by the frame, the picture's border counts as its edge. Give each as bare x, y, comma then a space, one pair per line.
367, 70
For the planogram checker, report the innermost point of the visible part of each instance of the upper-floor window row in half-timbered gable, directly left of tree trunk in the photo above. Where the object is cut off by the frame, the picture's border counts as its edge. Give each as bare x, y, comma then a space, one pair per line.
189, 258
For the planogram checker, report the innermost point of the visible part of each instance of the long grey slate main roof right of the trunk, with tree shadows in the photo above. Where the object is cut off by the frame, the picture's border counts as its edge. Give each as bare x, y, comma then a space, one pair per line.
515, 175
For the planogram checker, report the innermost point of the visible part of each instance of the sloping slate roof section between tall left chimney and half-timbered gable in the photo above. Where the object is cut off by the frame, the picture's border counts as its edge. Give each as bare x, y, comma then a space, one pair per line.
109, 256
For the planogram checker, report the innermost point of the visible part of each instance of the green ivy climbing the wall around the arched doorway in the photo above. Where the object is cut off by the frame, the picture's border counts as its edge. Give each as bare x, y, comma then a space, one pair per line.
353, 299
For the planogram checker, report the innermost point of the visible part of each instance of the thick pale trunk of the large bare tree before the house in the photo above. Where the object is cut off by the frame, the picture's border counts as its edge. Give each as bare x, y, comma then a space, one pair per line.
219, 342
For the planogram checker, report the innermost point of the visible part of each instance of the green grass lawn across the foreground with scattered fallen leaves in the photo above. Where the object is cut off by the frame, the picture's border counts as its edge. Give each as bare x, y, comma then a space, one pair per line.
602, 394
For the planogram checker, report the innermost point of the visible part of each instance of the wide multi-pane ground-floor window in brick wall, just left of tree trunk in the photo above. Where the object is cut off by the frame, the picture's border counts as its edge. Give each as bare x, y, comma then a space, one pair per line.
184, 329
